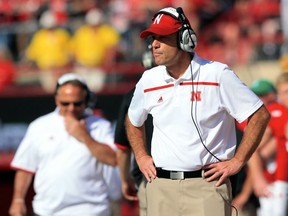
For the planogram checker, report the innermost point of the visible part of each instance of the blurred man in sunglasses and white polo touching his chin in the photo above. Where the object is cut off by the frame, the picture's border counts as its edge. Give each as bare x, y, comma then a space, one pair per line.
72, 154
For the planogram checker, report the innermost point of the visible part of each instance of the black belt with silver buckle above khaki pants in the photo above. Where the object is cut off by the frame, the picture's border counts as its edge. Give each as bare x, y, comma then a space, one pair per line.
178, 175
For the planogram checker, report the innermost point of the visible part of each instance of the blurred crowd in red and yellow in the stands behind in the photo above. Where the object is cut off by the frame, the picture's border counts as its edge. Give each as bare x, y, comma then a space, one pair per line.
236, 32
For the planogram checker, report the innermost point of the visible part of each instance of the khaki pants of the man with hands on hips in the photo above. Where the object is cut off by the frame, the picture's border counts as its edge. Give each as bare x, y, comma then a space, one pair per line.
188, 197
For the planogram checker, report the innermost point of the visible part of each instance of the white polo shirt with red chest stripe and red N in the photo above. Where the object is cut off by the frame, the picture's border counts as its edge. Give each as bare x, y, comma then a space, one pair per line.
211, 103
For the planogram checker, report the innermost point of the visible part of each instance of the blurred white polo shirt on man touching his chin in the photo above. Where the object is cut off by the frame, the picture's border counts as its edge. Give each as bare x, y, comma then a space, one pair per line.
68, 179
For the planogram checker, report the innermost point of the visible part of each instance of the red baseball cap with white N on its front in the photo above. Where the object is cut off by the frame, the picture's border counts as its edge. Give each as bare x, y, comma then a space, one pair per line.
162, 24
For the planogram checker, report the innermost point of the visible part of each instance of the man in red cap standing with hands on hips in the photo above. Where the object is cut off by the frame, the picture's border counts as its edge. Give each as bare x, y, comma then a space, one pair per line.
194, 103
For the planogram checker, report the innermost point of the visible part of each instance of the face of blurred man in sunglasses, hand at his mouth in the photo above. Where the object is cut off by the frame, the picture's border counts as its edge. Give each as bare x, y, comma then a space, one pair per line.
70, 100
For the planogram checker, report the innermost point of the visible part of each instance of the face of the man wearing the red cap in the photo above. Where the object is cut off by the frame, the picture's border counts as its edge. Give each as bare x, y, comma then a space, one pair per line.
165, 50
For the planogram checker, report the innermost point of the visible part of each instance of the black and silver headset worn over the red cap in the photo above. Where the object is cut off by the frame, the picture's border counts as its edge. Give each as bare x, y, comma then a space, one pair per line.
186, 38
